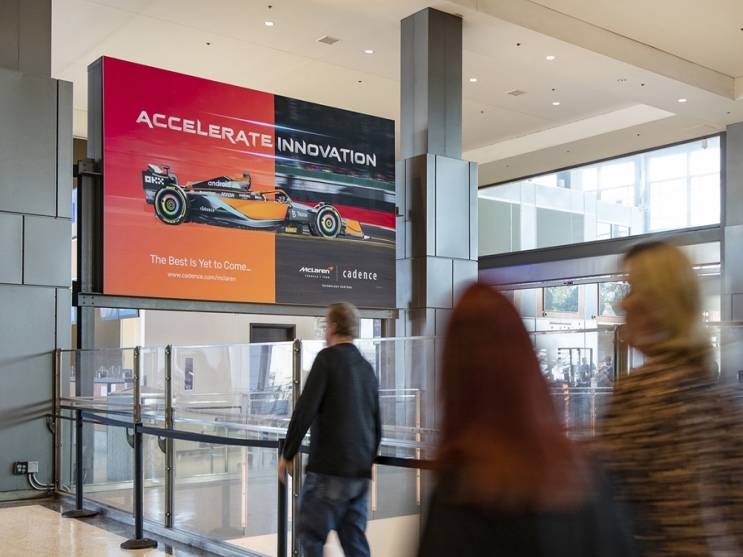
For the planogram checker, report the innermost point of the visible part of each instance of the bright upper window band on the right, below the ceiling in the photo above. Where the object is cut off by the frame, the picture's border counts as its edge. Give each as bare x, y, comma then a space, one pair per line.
667, 189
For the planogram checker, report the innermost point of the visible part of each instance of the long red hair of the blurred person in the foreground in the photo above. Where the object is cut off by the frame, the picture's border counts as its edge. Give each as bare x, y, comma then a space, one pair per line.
500, 433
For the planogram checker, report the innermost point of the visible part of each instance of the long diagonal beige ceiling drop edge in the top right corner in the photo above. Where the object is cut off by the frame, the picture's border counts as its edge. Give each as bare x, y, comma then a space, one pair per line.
545, 20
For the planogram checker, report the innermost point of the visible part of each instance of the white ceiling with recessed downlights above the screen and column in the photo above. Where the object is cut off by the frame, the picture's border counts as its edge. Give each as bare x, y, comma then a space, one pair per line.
287, 59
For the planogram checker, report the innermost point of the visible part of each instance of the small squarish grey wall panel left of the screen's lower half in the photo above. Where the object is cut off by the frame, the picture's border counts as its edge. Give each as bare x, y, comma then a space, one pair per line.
47, 252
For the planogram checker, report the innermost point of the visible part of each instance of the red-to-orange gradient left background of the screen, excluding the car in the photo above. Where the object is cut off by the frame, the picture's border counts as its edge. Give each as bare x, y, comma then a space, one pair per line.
132, 232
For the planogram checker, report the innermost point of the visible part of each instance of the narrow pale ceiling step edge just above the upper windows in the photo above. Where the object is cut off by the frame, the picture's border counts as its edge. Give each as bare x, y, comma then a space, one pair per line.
574, 131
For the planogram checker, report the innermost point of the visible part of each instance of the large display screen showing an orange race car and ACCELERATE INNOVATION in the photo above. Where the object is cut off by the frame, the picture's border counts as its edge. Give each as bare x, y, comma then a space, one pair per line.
217, 192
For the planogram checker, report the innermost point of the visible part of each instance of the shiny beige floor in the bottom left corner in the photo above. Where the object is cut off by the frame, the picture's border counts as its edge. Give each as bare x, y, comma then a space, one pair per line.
37, 528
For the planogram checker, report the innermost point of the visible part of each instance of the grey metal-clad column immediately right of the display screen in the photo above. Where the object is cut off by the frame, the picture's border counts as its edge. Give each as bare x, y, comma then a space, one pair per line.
436, 190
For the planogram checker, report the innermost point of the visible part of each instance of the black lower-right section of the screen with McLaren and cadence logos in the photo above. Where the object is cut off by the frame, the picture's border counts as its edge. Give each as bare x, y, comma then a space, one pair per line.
308, 272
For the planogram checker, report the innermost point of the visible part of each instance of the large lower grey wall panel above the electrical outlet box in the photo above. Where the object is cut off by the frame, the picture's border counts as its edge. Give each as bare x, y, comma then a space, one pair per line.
26, 360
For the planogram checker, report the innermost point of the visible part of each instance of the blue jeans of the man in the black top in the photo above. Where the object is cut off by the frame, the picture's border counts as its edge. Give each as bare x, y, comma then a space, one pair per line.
333, 503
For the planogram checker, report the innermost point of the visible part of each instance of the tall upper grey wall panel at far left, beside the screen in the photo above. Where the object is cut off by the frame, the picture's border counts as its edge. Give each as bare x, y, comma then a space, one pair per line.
28, 143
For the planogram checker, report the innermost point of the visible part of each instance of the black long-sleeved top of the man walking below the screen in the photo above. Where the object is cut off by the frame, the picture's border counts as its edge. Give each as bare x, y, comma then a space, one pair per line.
341, 402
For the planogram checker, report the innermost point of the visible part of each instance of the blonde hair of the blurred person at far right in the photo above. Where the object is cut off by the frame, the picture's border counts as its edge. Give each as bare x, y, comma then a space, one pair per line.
663, 279
